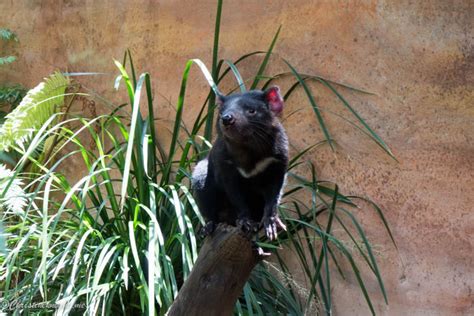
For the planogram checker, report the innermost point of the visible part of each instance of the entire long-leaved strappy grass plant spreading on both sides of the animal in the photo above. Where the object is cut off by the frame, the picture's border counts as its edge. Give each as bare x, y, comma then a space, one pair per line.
121, 239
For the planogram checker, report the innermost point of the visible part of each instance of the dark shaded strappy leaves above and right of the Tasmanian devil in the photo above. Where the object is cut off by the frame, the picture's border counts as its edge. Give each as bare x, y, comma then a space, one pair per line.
303, 220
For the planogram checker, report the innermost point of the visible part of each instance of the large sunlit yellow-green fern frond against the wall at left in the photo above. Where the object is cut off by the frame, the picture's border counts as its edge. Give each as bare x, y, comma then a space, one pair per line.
34, 110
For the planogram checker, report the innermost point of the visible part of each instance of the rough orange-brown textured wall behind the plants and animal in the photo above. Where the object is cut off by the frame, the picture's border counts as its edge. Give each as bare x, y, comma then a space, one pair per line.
416, 56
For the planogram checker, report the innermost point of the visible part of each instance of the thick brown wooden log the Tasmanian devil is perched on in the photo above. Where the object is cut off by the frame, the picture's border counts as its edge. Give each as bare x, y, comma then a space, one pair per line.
219, 275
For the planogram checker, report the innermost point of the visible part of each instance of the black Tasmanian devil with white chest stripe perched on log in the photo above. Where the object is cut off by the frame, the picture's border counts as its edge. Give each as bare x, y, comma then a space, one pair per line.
241, 180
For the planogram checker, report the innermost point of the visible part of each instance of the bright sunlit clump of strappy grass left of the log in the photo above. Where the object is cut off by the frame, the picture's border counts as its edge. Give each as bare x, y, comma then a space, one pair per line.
104, 226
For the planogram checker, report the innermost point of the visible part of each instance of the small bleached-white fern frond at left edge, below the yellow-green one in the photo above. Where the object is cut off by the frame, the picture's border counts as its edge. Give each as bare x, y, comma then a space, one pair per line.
14, 199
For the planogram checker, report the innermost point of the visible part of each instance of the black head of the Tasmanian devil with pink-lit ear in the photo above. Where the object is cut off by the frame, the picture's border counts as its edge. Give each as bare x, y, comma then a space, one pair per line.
253, 113
